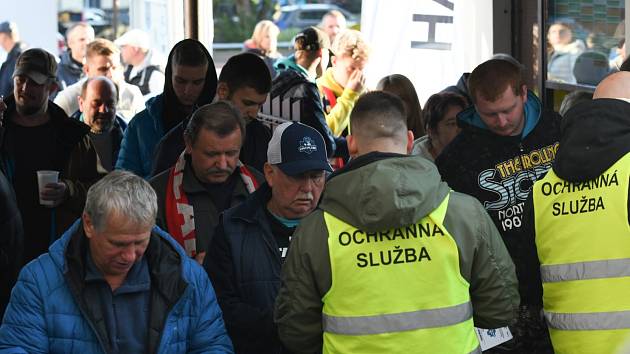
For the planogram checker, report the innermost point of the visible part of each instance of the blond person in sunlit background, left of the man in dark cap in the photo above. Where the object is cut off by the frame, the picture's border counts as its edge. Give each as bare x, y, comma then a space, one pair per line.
264, 43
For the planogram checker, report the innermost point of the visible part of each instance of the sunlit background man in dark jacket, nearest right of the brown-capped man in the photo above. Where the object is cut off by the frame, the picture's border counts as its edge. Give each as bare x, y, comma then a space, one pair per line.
70, 67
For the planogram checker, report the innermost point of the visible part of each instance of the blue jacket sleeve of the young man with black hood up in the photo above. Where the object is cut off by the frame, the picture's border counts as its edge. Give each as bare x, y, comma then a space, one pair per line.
141, 136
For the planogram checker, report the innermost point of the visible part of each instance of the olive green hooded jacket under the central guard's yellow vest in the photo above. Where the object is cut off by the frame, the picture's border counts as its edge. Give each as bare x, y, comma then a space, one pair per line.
378, 192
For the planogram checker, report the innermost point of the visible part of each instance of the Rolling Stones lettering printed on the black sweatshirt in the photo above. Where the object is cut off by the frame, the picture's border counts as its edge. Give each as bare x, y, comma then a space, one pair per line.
512, 181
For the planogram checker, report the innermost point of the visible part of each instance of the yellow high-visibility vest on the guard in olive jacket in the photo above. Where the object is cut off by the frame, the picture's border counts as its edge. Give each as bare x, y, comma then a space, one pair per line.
397, 291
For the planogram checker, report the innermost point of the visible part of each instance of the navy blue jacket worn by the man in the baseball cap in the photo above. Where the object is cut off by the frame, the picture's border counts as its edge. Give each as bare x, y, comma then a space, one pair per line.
244, 265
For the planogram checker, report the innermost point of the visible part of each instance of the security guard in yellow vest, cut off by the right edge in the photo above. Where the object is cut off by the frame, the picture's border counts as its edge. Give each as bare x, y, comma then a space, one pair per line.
578, 226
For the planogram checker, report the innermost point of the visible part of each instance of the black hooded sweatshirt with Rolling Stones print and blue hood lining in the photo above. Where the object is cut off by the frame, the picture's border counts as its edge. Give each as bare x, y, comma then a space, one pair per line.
500, 170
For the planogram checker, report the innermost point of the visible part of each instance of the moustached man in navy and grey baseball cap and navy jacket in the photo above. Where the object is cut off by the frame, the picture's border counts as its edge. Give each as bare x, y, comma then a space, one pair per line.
252, 239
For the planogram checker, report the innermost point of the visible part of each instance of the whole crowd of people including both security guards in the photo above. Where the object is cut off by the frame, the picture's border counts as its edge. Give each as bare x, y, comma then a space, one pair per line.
179, 221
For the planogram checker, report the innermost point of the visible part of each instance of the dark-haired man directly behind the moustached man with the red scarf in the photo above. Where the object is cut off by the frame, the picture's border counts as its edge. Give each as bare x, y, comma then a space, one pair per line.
245, 82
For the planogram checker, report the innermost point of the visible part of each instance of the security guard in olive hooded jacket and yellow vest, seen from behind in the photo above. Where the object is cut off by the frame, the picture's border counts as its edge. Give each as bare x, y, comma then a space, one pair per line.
392, 261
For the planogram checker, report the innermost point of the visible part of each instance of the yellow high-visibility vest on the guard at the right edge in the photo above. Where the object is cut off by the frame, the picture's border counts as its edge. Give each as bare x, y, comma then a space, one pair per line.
583, 242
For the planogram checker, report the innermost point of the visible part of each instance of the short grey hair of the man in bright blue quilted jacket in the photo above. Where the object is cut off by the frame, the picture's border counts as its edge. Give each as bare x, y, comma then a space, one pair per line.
123, 193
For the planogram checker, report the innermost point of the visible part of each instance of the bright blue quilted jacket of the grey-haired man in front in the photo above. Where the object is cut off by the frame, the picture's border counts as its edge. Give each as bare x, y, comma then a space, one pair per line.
49, 312
